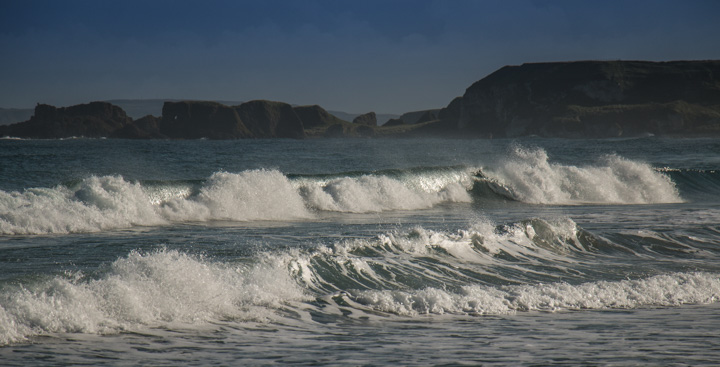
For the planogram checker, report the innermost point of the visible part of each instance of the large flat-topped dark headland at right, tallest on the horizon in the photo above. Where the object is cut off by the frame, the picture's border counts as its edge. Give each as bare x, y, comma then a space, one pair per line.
590, 99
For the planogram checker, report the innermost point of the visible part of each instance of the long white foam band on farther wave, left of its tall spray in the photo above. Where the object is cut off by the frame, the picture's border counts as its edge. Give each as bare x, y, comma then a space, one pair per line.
111, 202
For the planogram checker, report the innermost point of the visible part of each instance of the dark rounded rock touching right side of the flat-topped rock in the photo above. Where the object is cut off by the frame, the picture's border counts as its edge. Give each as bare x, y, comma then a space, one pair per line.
267, 119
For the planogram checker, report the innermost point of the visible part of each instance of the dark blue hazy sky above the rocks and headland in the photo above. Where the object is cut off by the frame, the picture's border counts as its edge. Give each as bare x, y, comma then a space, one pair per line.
390, 56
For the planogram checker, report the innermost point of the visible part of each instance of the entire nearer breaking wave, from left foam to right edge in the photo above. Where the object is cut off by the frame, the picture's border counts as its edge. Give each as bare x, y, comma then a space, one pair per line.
531, 265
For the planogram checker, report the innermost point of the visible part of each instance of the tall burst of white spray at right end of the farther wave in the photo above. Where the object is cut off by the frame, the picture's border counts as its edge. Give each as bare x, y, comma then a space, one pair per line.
531, 178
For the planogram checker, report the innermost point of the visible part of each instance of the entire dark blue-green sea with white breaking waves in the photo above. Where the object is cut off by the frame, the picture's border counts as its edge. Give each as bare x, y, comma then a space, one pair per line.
360, 252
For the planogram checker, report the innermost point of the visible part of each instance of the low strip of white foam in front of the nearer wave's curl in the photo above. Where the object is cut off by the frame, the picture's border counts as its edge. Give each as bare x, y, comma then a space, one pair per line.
661, 290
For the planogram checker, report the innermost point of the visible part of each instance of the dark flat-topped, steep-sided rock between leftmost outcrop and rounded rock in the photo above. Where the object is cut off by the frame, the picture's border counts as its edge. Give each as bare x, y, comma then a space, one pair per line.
196, 119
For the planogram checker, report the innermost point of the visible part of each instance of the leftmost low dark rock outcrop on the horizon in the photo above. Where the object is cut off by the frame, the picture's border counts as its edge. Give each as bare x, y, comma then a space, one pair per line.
91, 120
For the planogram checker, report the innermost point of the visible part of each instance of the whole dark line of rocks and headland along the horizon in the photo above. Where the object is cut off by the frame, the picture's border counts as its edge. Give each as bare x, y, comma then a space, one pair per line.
584, 99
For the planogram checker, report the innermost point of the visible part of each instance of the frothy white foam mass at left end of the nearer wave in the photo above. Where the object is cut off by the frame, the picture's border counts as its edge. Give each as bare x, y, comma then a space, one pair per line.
147, 290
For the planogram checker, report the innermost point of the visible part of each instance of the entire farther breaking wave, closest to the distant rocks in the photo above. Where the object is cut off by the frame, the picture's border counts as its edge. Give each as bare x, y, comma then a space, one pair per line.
527, 176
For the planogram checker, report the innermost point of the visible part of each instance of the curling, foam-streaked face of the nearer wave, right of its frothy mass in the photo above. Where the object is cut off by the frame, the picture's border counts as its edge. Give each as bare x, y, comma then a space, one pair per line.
418, 258
